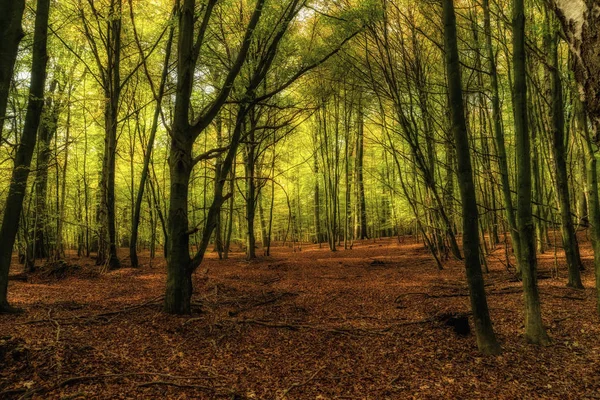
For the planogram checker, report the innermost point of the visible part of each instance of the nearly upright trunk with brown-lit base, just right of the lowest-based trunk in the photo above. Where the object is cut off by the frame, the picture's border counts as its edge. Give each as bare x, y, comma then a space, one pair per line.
534, 329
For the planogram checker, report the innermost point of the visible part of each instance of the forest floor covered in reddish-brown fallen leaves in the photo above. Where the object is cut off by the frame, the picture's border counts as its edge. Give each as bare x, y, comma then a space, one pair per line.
356, 324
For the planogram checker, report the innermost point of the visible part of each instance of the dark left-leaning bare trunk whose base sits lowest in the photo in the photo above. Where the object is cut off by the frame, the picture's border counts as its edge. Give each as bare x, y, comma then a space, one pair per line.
486, 339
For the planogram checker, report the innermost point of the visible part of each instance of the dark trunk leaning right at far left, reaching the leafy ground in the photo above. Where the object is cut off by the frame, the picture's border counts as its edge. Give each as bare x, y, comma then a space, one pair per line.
20, 173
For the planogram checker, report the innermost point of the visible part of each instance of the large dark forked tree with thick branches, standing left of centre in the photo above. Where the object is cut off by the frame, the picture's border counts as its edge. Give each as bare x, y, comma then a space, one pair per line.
181, 162
